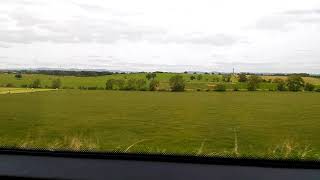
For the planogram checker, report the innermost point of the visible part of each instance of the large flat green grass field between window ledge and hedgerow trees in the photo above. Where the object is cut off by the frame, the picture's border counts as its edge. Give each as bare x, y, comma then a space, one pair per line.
259, 124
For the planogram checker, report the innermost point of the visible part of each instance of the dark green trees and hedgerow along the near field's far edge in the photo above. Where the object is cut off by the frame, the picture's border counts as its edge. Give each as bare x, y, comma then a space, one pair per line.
178, 83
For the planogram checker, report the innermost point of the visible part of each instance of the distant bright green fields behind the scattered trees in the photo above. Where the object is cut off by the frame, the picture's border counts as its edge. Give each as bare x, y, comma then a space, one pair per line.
100, 81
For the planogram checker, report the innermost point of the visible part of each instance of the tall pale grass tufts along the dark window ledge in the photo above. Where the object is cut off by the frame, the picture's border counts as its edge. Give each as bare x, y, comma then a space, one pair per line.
288, 149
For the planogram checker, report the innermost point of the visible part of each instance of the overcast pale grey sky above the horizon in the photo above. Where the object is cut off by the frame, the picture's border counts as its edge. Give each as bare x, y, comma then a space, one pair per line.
165, 35
